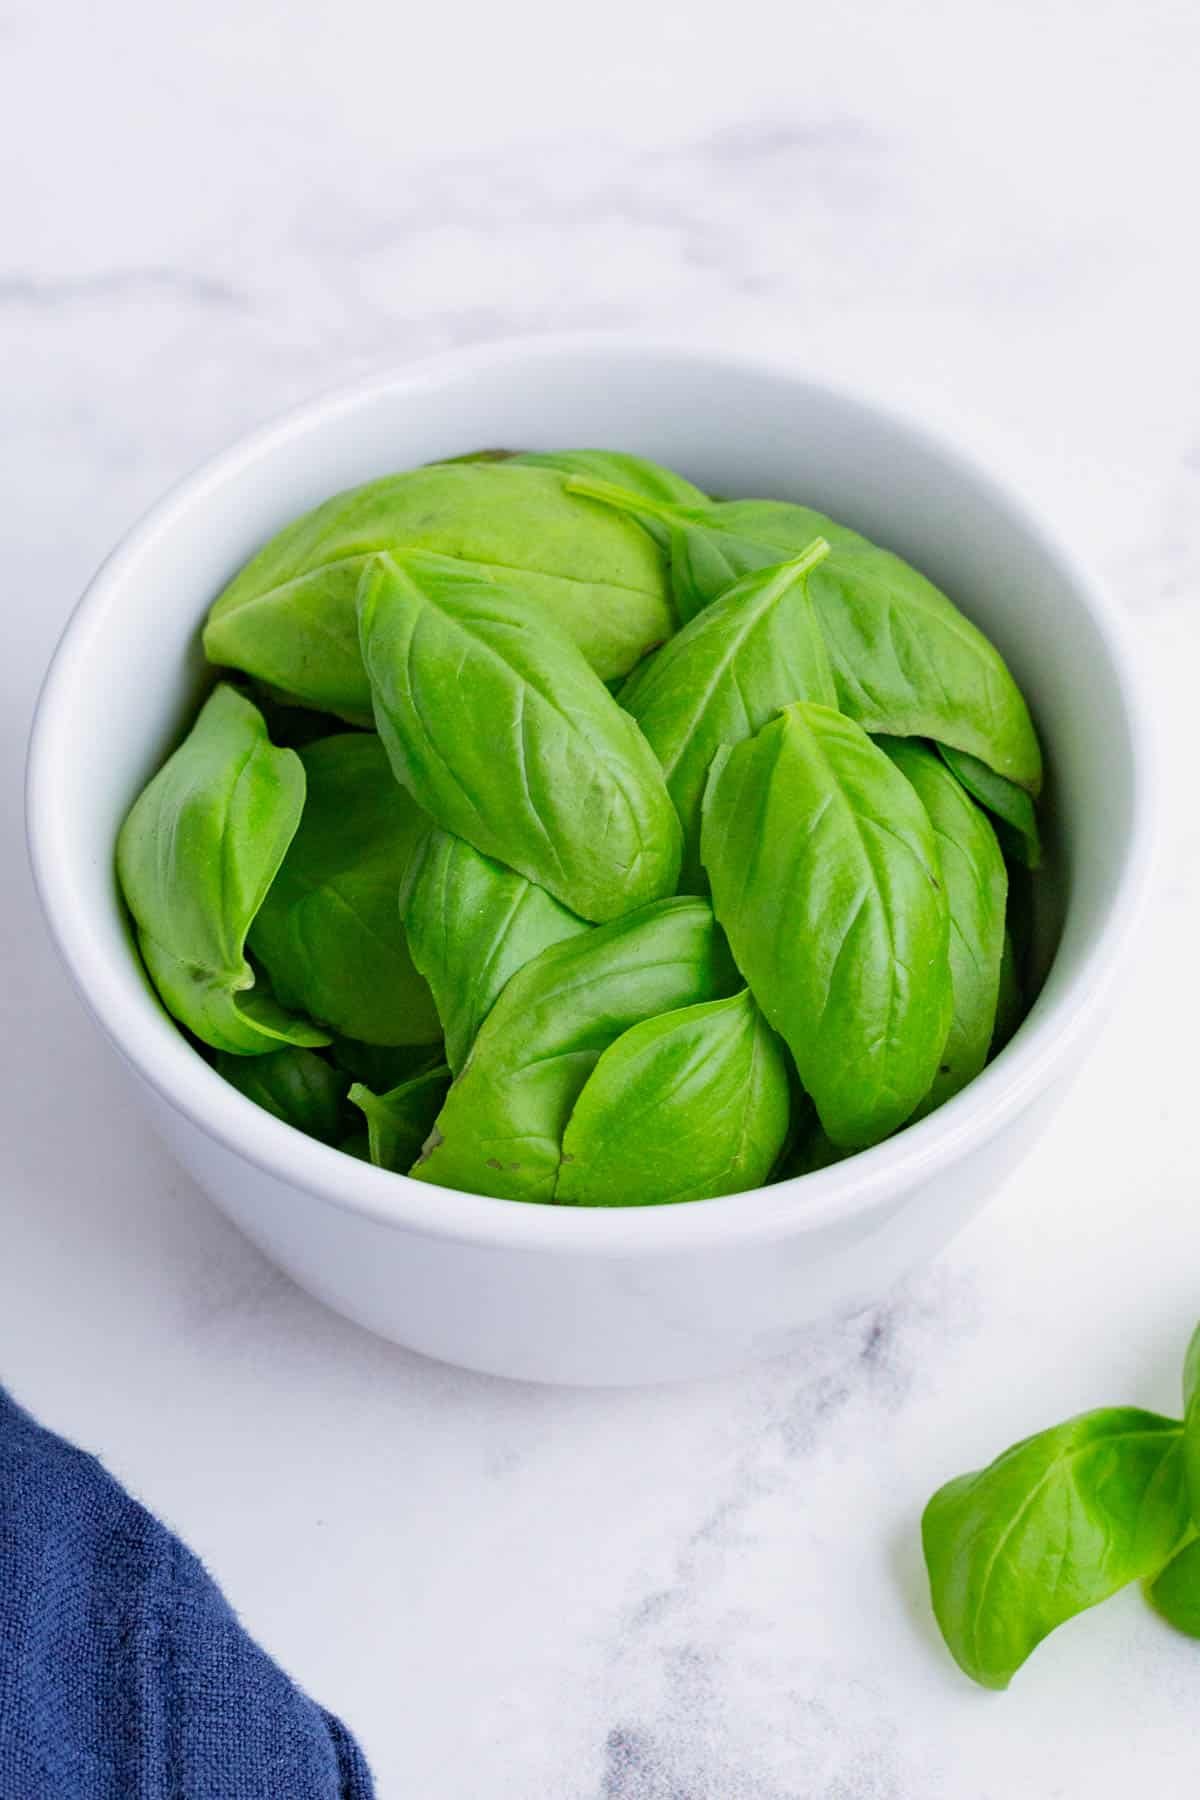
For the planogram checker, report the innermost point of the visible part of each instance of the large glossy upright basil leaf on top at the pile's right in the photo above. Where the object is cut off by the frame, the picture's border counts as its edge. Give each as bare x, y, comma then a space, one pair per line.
827, 879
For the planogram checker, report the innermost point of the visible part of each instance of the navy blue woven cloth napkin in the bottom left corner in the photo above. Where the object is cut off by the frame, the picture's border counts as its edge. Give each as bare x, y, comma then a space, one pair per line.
123, 1671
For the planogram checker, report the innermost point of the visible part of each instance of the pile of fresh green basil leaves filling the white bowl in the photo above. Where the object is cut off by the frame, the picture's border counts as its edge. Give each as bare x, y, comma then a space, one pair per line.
568, 836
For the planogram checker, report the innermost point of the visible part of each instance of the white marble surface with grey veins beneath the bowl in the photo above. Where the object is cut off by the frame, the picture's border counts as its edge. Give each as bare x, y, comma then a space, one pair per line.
710, 1594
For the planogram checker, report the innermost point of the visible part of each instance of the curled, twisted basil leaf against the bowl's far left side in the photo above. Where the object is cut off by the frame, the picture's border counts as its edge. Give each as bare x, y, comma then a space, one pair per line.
195, 861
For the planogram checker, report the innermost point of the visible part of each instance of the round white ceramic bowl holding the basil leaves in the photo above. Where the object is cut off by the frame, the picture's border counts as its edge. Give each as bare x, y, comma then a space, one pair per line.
589, 1295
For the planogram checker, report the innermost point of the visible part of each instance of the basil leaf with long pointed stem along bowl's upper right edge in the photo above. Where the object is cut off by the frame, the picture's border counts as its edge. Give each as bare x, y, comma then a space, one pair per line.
904, 658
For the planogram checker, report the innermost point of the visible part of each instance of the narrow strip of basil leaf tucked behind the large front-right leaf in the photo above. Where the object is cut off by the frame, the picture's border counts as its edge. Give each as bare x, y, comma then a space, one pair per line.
976, 883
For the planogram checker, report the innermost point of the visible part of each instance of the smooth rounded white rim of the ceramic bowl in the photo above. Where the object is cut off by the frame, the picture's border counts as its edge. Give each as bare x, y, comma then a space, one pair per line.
148, 1041
